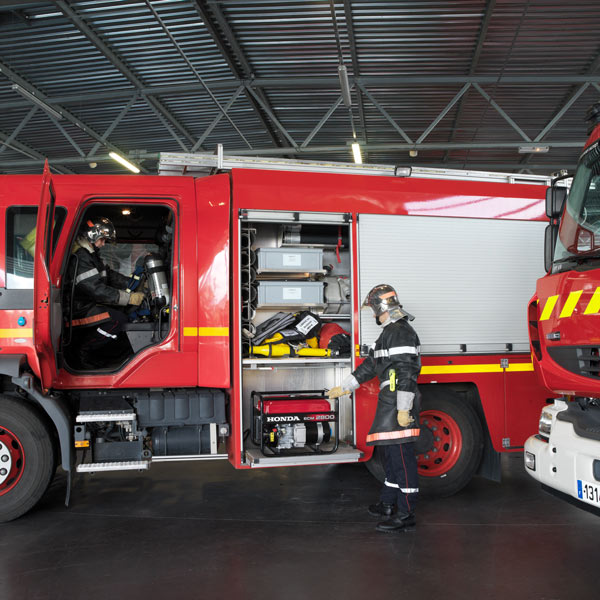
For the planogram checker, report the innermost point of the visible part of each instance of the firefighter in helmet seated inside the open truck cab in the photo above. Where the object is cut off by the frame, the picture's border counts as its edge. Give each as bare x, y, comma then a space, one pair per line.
93, 291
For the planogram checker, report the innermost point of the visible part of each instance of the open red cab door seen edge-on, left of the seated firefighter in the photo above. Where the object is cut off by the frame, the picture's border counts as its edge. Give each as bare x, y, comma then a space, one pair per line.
46, 311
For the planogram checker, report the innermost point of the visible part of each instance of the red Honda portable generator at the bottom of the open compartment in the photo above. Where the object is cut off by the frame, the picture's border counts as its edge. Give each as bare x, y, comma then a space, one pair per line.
294, 422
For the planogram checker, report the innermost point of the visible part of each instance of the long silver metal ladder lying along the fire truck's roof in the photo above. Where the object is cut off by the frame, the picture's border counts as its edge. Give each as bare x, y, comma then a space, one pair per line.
203, 164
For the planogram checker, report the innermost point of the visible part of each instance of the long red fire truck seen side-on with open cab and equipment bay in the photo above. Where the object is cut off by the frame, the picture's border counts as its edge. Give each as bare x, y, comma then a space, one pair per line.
248, 242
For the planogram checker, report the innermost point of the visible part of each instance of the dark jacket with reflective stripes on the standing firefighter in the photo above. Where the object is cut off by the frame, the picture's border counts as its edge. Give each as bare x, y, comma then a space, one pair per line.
395, 359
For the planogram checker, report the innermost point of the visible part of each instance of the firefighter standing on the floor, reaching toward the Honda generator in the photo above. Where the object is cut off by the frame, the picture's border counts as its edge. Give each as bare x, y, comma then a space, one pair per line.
395, 359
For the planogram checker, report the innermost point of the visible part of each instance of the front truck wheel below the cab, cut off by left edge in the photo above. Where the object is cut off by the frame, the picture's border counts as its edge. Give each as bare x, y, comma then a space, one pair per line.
27, 458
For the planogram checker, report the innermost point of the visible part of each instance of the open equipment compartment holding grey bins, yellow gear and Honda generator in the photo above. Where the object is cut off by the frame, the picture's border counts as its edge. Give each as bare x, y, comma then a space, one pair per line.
286, 279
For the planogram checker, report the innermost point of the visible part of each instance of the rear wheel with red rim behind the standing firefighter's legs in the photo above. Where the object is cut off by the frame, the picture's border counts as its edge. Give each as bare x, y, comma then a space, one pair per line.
455, 439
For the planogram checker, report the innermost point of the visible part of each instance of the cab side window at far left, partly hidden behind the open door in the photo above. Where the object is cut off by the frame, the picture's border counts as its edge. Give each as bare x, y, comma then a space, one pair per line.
20, 243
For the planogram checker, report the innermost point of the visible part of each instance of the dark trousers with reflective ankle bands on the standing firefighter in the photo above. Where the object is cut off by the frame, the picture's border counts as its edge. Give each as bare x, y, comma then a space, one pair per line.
401, 486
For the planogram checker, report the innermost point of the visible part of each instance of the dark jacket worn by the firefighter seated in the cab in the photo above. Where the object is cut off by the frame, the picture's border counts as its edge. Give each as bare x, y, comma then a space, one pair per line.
90, 283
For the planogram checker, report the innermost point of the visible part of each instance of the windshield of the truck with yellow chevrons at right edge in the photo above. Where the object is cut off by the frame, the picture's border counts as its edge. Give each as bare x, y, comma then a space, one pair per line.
579, 234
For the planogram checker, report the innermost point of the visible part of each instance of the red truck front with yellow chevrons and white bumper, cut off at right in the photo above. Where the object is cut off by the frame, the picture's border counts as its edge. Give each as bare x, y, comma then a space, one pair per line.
565, 338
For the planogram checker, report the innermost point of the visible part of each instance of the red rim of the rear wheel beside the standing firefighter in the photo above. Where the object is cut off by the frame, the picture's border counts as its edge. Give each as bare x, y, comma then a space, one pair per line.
447, 444
